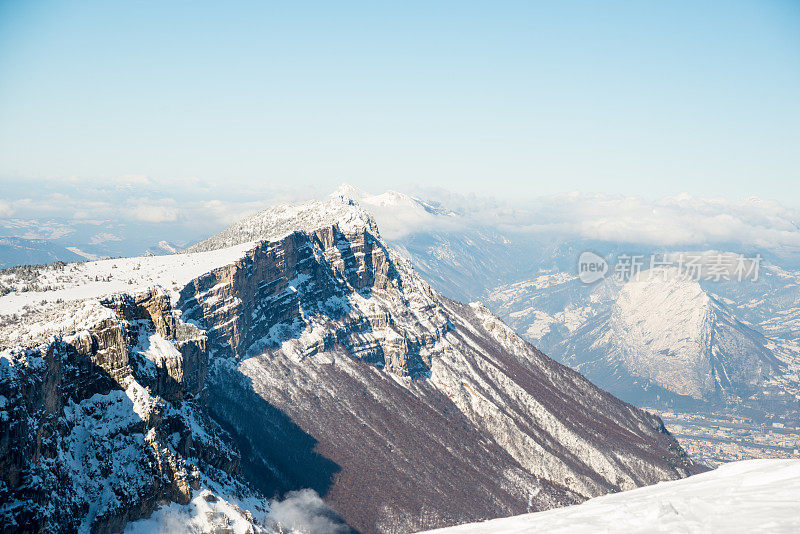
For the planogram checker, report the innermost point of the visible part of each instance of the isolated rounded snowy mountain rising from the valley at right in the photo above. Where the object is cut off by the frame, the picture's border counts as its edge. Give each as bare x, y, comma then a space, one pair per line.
664, 329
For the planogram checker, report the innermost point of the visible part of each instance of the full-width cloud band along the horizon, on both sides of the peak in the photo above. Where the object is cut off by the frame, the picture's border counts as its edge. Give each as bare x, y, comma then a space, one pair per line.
182, 210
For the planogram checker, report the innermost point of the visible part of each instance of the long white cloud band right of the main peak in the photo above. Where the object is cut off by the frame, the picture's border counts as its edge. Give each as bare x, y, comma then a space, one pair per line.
670, 221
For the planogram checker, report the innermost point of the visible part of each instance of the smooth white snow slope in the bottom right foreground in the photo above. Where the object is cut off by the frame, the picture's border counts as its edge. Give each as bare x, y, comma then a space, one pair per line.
749, 496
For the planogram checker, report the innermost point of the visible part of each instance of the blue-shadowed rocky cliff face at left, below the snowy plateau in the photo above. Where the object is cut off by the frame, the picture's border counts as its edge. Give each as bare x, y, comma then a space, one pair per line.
92, 438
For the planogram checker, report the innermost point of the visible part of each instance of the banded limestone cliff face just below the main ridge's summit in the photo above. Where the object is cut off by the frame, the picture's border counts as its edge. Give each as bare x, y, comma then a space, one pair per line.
282, 287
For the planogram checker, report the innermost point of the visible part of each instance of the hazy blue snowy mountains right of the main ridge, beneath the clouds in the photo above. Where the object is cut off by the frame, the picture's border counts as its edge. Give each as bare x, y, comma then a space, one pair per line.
667, 340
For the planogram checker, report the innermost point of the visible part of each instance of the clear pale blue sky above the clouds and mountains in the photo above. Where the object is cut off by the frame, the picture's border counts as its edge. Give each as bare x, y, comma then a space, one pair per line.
513, 99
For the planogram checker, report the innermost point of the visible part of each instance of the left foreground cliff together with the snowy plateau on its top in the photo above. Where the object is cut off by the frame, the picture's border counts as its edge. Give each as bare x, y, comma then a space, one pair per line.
103, 408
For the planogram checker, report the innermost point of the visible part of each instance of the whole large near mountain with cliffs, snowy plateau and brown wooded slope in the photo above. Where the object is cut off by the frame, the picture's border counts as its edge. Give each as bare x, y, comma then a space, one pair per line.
295, 351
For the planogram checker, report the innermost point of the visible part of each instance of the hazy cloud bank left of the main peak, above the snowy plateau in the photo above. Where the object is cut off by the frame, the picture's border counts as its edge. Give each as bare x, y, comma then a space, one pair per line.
139, 210
